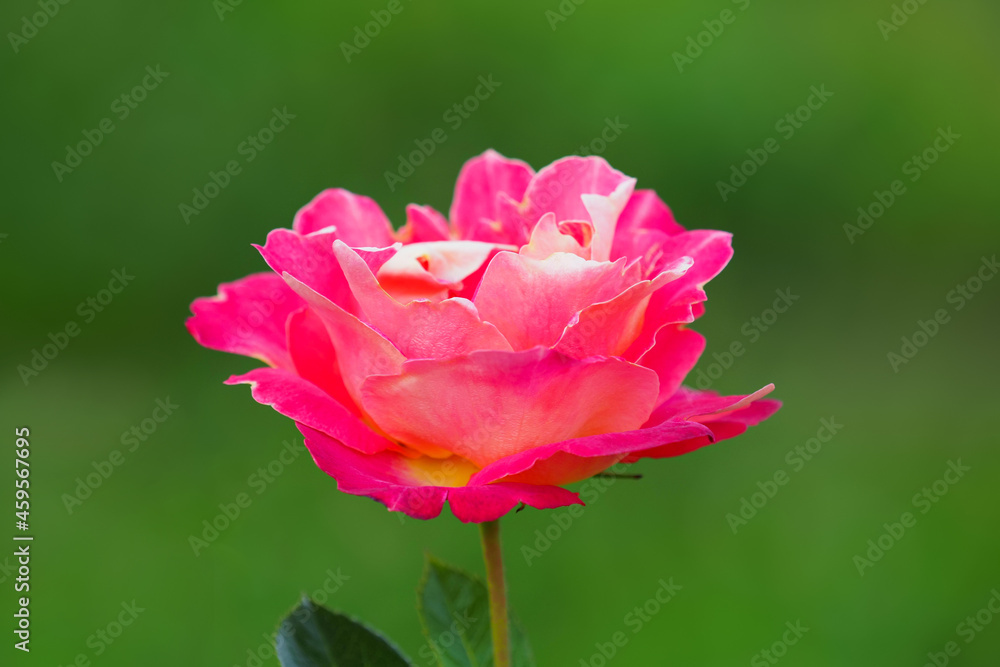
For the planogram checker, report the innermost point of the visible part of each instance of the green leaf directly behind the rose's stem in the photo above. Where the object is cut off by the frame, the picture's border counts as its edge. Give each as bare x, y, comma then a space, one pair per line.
455, 614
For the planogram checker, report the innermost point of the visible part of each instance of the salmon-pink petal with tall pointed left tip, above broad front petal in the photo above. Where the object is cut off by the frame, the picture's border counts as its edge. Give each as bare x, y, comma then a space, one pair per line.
419, 329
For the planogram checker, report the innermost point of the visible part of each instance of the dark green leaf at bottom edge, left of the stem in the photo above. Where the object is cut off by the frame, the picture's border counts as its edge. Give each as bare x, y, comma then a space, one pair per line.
314, 636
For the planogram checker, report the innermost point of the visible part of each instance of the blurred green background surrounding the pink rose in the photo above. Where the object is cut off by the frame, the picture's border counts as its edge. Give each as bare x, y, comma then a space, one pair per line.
793, 561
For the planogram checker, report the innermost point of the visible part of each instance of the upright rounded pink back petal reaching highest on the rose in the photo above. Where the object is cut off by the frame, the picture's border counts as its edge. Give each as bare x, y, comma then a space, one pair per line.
482, 181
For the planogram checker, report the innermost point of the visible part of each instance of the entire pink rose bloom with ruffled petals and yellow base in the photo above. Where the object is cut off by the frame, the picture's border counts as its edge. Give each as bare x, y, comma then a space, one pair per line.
533, 339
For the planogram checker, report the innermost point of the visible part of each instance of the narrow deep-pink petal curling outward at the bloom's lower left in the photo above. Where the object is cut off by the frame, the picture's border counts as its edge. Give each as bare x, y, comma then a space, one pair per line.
308, 404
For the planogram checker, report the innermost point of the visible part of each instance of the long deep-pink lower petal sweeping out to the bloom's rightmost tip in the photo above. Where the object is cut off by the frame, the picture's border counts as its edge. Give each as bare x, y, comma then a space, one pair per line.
682, 428
